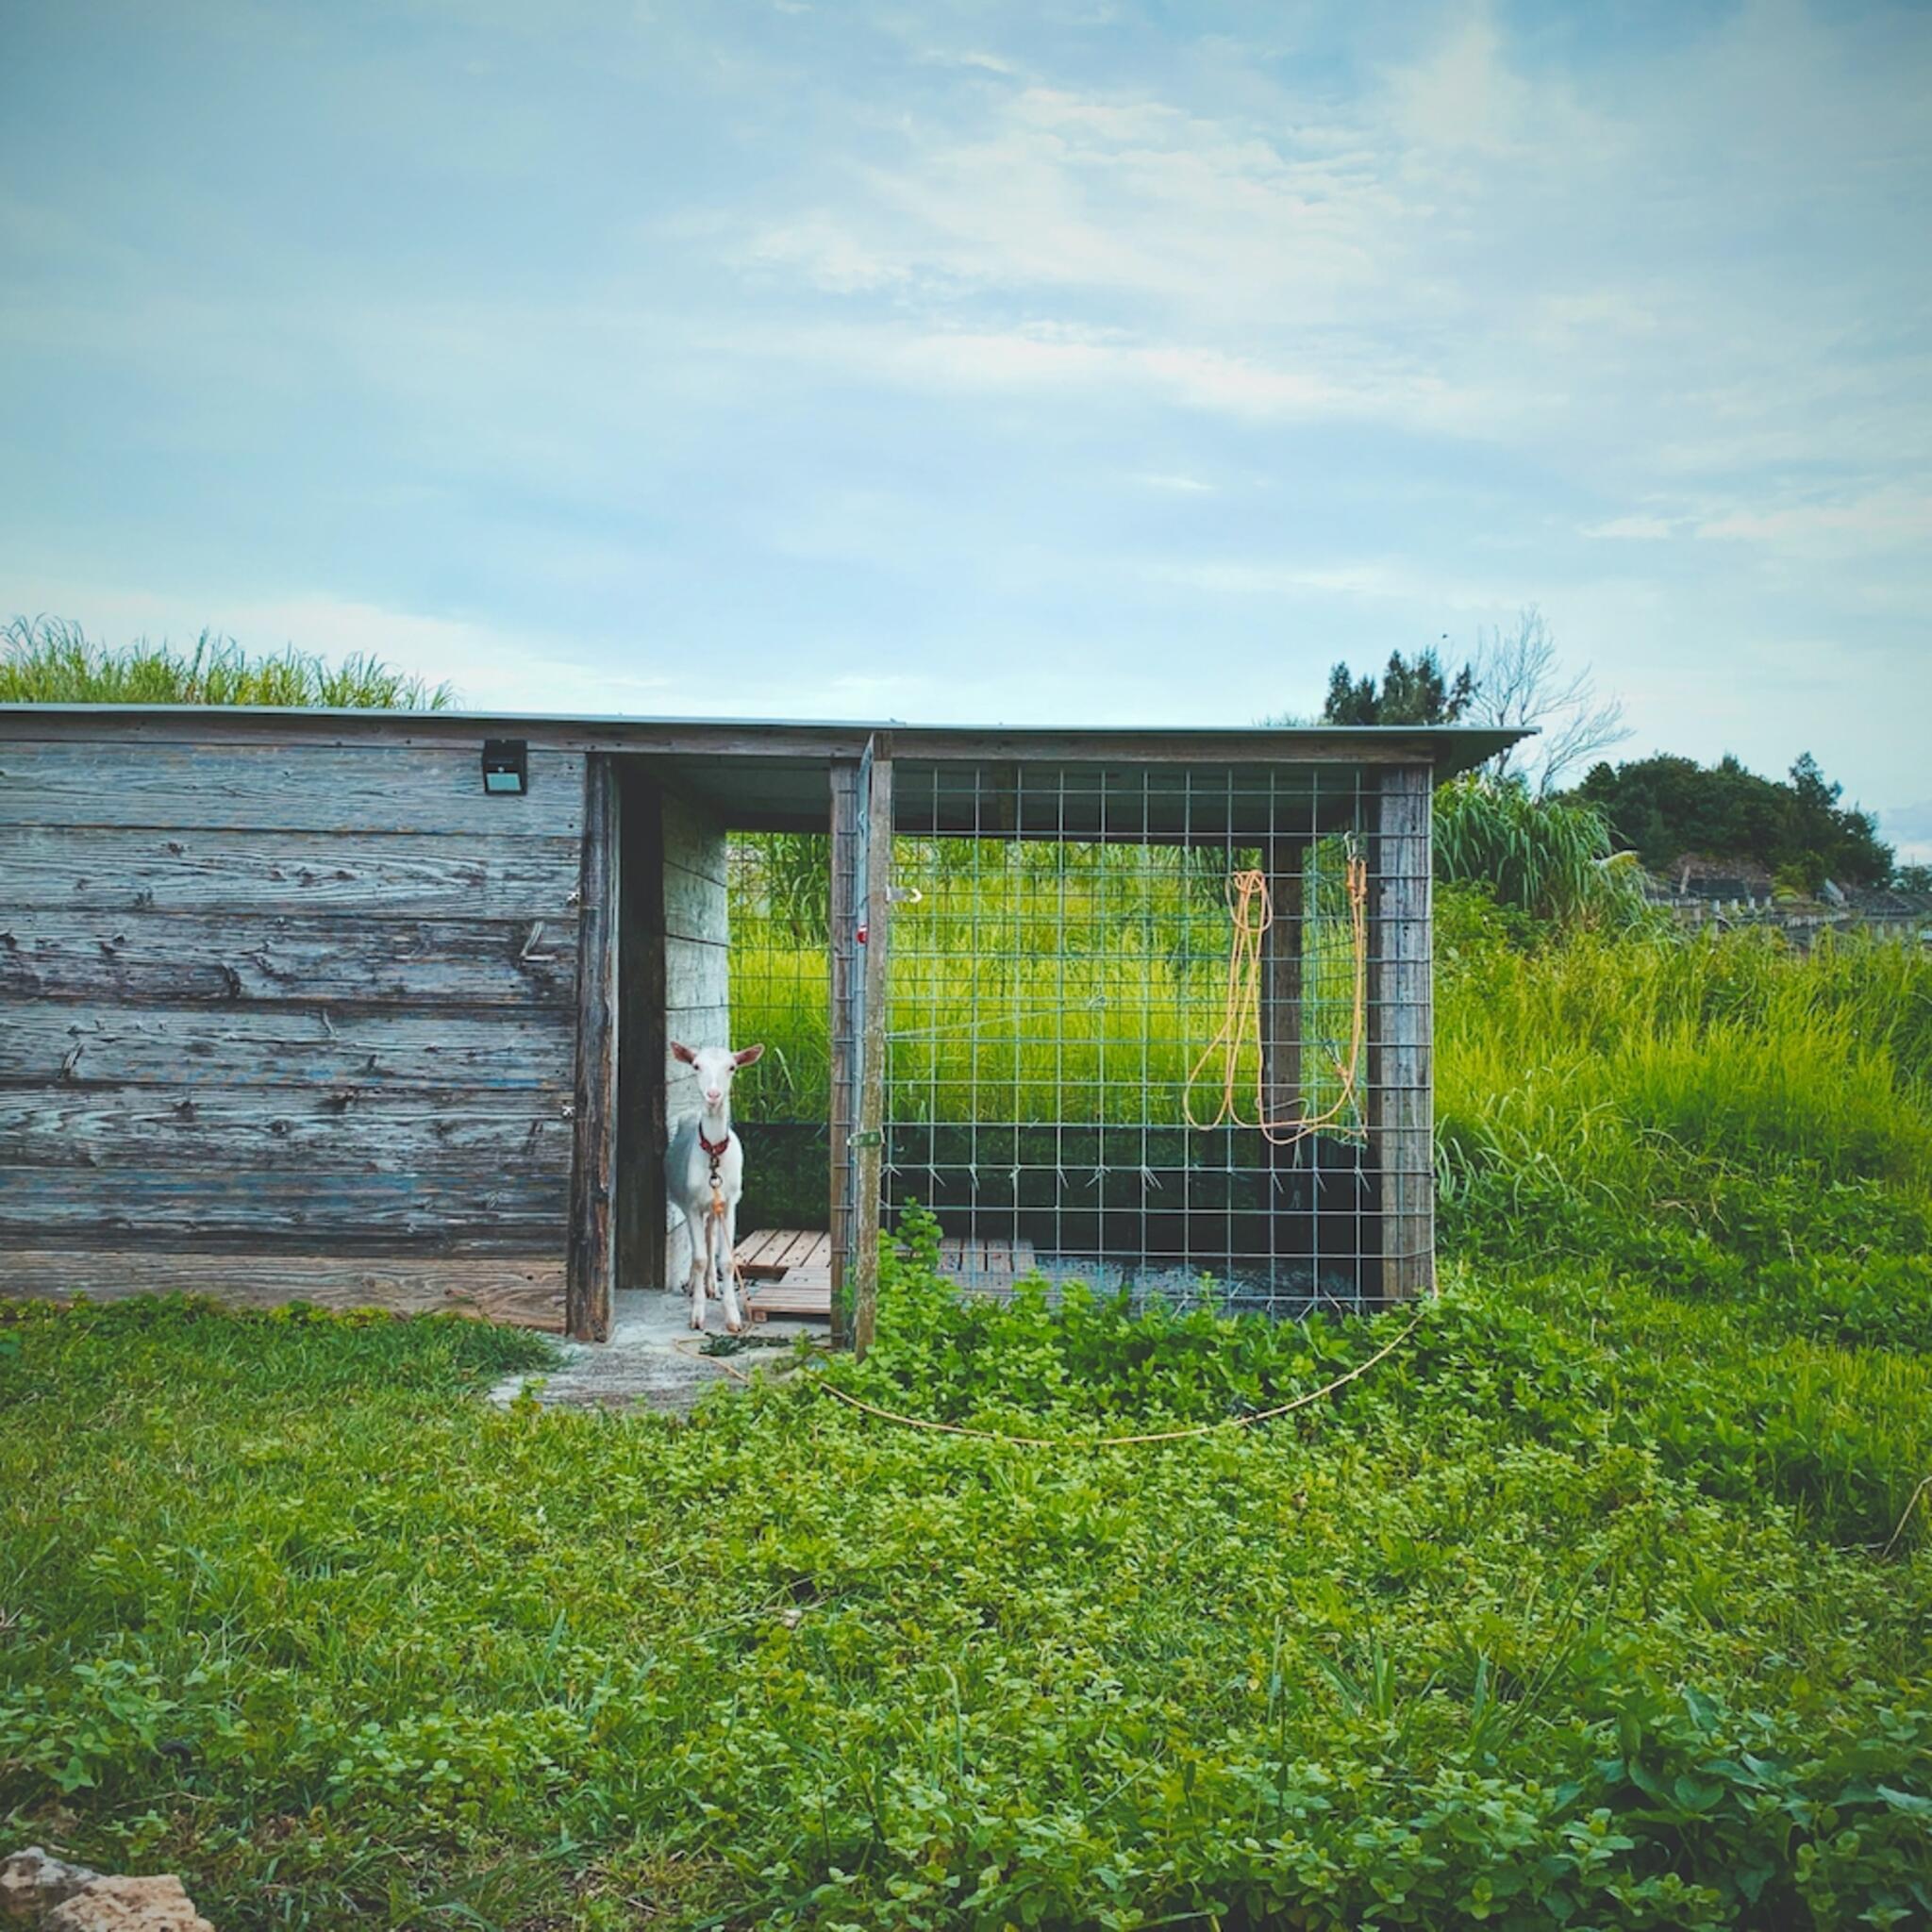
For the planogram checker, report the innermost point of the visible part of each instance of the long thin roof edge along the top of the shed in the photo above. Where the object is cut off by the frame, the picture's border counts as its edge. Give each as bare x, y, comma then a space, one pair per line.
1450, 749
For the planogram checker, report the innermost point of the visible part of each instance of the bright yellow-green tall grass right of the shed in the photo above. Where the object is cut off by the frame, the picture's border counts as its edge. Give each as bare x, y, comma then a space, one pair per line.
1635, 1069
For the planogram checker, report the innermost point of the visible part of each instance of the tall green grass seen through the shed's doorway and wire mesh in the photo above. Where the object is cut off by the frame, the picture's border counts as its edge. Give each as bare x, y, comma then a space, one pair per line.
1077, 984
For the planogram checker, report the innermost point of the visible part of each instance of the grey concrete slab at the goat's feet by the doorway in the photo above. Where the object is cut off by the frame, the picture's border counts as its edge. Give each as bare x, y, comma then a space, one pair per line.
652, 1357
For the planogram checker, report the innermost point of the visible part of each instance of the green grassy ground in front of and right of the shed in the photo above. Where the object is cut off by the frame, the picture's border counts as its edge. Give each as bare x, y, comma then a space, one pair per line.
1591, 1606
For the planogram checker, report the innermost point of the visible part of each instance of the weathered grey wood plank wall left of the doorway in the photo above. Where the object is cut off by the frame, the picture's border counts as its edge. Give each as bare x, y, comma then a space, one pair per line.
287, 1021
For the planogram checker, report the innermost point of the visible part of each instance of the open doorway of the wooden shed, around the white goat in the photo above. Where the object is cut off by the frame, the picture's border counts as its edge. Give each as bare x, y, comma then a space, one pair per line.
737, 907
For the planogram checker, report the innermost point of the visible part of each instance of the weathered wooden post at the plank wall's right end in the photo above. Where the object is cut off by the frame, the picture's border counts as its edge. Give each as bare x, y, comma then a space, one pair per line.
592, 1228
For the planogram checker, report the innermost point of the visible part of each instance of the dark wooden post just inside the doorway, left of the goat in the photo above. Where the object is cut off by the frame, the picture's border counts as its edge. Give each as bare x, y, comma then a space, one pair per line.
640, 1048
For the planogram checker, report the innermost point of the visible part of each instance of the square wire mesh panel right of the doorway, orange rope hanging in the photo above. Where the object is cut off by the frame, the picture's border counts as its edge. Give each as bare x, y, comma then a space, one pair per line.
1131, 1027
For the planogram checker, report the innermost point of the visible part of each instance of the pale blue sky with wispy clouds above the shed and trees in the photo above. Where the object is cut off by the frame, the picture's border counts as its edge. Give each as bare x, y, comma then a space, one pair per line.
1083, 364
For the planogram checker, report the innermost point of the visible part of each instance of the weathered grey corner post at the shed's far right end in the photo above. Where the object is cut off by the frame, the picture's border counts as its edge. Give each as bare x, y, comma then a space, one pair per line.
1402, 1100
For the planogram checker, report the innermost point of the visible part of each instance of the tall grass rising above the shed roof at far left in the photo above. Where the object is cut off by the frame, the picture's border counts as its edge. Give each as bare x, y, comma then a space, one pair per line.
49, 660
